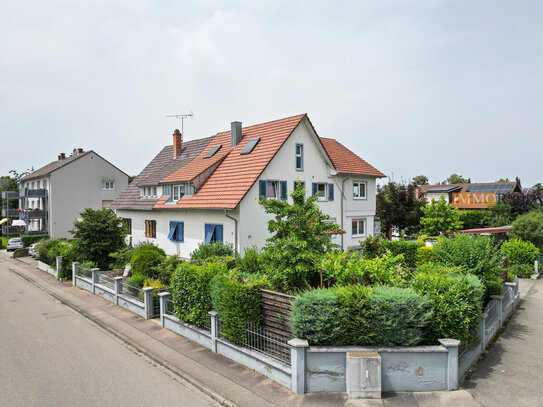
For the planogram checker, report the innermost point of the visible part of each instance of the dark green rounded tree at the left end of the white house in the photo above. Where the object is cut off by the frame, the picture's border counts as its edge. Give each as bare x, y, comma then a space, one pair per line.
99, 233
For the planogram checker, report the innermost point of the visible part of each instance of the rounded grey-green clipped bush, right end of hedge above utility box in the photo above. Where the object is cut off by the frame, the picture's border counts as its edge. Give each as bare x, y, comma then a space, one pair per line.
398, 316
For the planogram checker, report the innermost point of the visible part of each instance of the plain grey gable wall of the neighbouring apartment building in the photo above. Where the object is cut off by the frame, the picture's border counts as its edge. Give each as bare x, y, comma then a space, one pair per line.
77, 186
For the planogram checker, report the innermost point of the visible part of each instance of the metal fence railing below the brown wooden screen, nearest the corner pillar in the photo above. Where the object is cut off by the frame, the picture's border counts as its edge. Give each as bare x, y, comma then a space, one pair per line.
261, 340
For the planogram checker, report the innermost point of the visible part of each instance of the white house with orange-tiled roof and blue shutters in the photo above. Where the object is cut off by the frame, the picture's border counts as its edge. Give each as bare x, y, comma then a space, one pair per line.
208, 189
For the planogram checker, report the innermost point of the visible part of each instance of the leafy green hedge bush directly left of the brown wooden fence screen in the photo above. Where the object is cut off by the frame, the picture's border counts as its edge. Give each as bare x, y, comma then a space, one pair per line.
237, 302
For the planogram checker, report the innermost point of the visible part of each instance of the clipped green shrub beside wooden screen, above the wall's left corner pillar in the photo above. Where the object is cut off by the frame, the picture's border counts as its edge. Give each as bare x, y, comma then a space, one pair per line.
315, 316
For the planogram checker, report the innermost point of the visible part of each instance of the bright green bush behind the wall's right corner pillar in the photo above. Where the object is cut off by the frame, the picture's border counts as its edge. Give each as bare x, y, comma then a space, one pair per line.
456, 301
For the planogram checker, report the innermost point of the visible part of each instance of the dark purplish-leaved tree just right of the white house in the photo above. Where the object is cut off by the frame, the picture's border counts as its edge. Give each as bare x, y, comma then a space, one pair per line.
398, 207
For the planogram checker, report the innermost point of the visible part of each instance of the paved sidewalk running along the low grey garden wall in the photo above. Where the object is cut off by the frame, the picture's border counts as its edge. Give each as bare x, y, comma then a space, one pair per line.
219, 377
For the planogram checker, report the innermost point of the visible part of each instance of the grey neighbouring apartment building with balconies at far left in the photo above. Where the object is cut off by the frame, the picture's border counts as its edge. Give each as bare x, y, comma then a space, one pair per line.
52, 197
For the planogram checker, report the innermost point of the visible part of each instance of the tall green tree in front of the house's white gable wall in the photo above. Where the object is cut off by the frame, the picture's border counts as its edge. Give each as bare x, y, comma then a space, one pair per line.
299, 240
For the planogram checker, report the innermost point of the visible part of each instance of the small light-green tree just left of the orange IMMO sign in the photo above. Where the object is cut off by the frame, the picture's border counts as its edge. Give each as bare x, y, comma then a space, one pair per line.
438, 217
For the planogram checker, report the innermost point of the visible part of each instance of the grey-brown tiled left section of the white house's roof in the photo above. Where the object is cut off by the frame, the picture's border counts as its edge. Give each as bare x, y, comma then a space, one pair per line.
159, 168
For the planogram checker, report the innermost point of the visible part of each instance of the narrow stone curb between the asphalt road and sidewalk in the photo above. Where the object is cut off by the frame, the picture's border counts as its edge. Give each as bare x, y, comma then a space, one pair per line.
172, 369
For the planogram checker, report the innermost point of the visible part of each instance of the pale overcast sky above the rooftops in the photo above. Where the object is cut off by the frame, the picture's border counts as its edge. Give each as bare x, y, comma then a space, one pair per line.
414, 87
